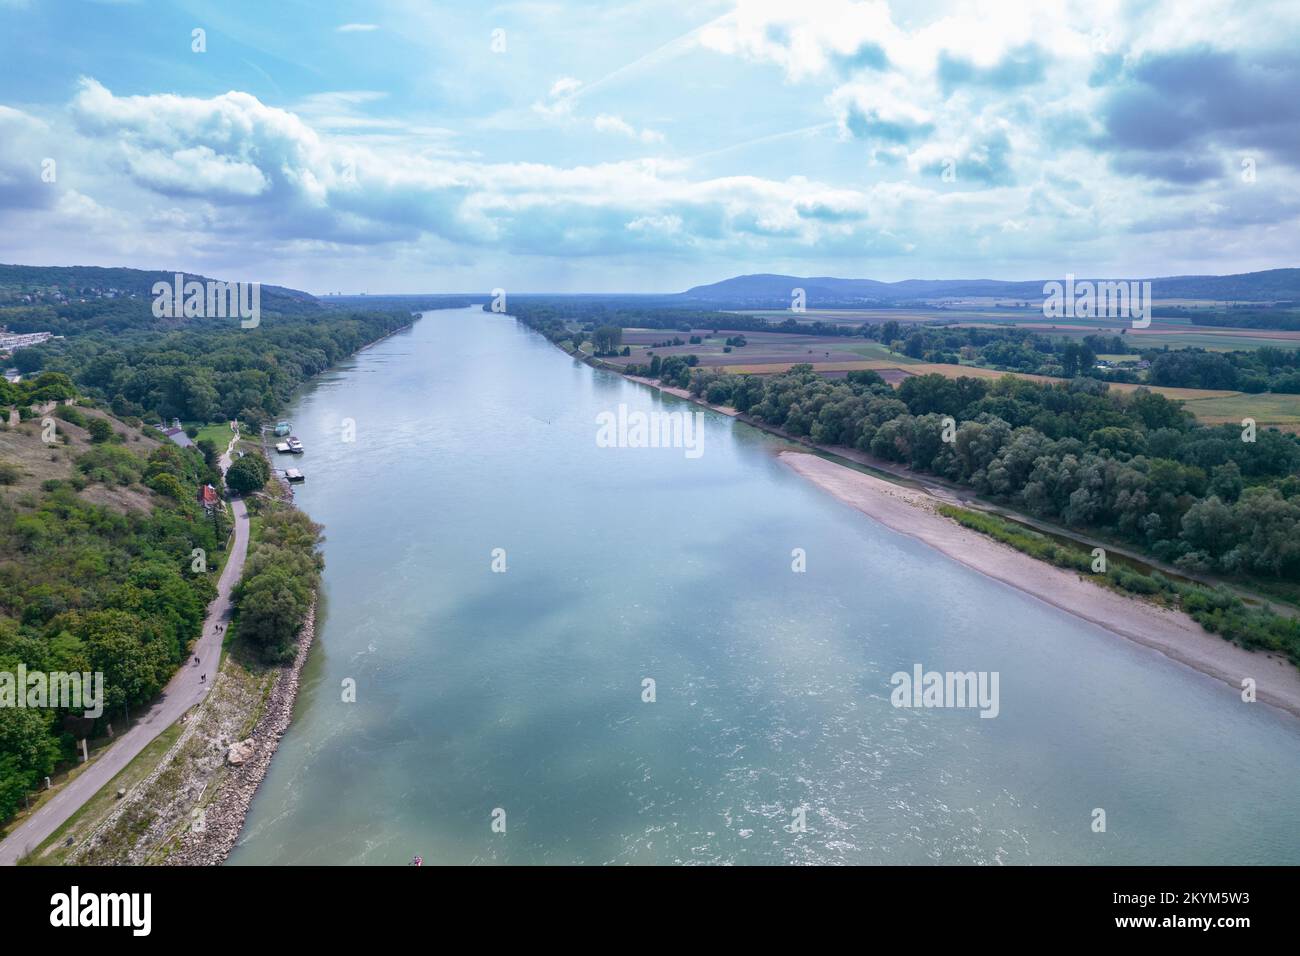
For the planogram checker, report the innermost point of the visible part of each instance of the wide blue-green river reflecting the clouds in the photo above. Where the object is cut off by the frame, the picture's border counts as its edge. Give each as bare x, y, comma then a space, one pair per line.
518, 697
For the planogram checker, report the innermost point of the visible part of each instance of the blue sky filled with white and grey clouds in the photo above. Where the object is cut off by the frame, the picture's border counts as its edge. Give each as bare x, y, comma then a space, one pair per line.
406, 146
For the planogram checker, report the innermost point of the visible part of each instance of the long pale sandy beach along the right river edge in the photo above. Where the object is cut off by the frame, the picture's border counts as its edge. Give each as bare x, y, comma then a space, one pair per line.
1167, 631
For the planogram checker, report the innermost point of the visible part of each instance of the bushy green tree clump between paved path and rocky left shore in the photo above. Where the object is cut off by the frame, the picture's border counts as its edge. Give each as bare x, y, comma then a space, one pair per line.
280, 582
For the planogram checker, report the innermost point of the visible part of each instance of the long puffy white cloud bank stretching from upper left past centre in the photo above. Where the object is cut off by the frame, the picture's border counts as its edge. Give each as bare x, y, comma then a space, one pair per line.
265, 170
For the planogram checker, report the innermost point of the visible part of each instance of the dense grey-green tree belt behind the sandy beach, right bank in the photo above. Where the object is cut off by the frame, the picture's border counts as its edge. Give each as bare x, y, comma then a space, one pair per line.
1132, 466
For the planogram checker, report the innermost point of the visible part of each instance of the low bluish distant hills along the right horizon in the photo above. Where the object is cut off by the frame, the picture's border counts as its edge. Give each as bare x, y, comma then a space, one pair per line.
774, 292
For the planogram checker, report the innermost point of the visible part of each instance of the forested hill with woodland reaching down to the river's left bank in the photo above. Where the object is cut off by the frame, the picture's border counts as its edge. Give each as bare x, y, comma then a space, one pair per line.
197, 370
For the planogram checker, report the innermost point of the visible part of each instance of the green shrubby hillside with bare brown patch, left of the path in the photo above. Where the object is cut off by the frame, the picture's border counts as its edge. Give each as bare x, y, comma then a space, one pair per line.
98, 538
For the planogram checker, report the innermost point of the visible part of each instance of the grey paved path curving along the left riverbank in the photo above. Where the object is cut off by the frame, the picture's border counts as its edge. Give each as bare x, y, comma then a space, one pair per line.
183, 693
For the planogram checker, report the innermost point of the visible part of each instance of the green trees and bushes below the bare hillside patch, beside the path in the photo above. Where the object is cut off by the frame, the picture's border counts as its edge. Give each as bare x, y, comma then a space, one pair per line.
86, 589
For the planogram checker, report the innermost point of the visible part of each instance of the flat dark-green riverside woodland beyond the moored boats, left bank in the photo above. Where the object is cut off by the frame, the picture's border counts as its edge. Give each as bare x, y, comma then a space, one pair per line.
210, 373
